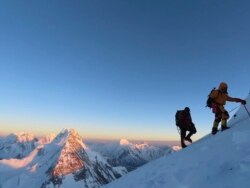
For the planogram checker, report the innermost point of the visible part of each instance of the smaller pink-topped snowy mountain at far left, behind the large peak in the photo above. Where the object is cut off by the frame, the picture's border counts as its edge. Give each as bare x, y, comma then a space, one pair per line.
17, 145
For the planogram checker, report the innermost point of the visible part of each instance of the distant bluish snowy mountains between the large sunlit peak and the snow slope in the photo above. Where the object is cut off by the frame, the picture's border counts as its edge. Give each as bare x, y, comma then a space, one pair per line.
130, 155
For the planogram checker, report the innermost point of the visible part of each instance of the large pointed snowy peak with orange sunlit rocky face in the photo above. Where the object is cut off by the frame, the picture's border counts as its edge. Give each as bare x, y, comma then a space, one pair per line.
65, 162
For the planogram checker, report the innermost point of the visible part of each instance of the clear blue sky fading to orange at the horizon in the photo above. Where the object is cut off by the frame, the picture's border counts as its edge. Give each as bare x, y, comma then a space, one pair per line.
119, 69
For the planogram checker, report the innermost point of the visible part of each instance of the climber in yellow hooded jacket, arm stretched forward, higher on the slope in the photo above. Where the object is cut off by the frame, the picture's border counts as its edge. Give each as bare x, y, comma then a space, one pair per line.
219, 97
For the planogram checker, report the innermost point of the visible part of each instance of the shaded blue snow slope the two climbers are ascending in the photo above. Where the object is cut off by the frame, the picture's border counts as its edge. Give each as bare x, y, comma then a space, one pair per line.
215, 161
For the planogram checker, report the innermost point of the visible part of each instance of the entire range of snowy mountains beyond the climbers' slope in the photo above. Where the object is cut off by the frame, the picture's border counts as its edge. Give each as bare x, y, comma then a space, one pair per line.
64, 159
